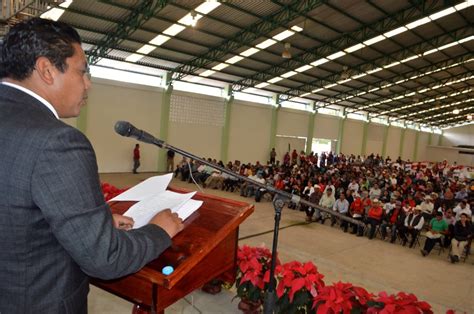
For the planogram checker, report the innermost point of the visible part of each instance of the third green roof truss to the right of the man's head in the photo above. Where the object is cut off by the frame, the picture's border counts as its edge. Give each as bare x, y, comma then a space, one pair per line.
362, 34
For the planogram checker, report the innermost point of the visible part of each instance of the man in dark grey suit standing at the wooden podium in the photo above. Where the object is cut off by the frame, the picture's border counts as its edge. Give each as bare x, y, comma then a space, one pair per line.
55, 228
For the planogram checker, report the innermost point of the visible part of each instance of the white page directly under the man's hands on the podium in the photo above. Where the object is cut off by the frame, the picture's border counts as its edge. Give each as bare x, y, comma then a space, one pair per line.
143, 211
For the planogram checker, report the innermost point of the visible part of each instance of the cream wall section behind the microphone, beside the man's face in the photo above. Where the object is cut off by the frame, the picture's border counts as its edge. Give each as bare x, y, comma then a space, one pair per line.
109, 102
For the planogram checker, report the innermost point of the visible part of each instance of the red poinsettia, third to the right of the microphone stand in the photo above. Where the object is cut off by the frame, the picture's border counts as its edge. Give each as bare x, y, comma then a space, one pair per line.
401, 303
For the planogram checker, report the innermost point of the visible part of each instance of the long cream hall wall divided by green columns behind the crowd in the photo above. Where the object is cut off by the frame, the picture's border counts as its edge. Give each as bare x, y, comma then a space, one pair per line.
249, 129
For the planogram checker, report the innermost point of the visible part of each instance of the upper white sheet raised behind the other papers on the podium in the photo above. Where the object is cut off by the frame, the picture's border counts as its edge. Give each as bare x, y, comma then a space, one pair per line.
148, 188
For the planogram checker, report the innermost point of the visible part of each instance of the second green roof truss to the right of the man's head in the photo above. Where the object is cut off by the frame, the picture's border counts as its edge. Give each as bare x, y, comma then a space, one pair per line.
265, 25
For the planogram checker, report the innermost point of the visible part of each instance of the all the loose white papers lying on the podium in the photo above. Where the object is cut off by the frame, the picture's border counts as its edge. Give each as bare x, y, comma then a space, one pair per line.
152, 197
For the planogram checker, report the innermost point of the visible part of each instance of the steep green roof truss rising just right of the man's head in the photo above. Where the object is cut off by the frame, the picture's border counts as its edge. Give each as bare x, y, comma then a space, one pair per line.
137, 17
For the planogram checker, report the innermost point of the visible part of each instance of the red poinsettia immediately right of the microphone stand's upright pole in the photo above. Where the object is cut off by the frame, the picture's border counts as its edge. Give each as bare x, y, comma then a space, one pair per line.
297, 285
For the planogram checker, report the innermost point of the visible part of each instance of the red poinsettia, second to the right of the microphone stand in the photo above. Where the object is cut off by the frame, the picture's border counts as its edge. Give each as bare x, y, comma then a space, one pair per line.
342, 298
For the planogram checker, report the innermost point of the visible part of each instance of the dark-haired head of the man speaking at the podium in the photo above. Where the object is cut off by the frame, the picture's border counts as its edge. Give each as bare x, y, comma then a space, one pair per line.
46, 57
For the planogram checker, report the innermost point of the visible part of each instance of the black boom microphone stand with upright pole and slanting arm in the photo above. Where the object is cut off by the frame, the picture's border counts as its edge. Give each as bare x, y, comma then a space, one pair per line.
279, 201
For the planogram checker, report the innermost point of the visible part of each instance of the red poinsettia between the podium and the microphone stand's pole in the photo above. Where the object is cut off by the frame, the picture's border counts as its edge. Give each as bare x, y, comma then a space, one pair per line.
252, 264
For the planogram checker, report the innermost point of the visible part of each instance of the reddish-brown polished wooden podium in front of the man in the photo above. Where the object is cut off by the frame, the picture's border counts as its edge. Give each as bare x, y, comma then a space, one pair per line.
204, 250
